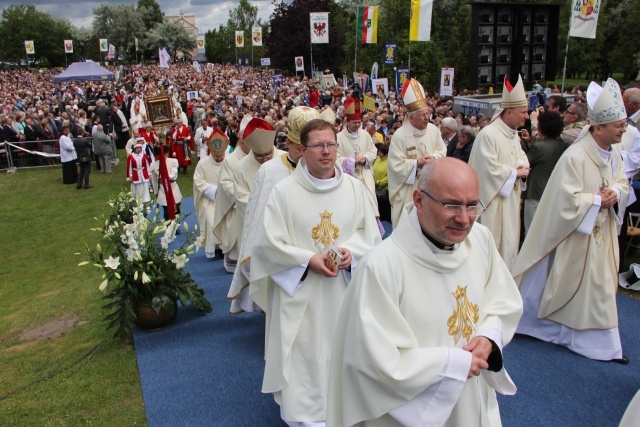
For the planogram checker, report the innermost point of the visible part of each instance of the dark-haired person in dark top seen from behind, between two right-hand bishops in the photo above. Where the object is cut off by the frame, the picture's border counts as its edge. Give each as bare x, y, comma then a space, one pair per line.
543, 156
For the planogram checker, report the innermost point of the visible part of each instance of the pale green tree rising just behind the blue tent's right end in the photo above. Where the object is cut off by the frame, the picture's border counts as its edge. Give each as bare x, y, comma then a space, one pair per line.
120, 25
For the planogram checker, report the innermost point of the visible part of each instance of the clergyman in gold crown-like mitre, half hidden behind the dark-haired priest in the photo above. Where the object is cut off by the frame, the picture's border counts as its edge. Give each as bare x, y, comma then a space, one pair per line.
272, 172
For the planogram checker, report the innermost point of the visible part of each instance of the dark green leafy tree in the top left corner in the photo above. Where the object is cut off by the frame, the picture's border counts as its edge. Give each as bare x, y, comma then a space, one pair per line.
24, 22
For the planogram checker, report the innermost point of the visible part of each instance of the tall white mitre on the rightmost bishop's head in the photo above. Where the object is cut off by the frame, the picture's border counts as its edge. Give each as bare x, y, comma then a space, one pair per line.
605, 103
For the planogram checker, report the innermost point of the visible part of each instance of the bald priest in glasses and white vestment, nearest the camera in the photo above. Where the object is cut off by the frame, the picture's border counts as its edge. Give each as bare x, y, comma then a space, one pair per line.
423, 325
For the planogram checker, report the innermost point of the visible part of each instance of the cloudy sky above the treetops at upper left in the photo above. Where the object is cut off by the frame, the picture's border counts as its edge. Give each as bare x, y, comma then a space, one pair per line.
209, 13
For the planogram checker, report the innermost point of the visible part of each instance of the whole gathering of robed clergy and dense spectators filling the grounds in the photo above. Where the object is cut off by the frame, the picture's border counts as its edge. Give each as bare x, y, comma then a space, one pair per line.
292, 187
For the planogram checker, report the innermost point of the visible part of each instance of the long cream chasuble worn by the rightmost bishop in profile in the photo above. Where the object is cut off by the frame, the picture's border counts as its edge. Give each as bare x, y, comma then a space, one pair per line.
580, 270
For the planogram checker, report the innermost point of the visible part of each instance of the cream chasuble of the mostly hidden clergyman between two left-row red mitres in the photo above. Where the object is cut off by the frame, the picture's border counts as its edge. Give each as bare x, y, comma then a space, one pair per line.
225, 223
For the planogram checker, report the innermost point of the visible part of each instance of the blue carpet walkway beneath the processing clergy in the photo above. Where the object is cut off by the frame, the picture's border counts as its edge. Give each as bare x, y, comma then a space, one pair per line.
206, 370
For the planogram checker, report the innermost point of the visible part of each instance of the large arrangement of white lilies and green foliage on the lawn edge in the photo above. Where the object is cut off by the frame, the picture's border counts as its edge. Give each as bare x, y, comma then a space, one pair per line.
138, 266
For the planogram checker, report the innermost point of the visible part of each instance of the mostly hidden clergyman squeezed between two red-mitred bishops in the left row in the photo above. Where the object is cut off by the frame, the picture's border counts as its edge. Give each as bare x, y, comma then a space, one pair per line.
225, 223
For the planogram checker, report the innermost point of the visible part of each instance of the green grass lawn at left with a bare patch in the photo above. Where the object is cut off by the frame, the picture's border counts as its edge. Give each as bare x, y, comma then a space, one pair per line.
83, 377
